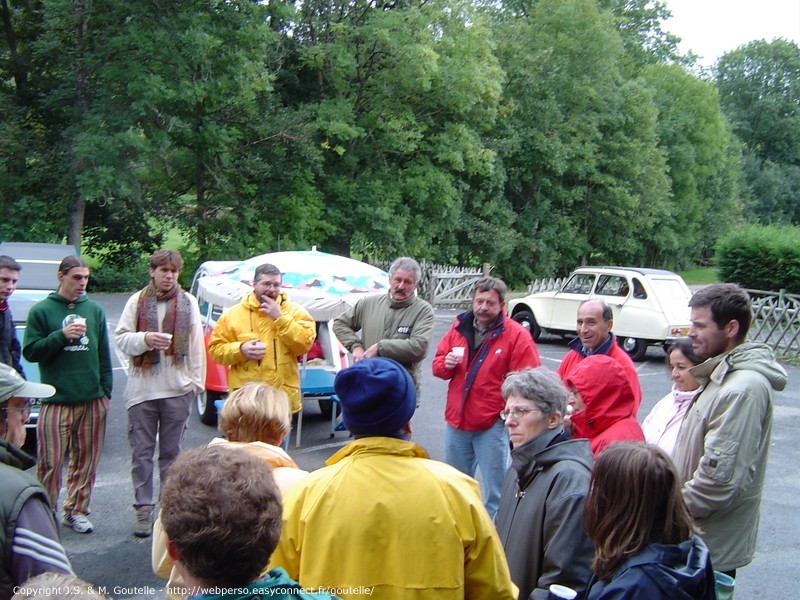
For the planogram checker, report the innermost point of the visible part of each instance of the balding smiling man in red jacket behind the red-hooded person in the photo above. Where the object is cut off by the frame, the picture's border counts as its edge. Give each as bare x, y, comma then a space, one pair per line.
594, 323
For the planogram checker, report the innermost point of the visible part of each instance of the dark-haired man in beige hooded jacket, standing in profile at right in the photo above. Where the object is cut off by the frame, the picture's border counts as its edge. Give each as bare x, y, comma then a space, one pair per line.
721, 450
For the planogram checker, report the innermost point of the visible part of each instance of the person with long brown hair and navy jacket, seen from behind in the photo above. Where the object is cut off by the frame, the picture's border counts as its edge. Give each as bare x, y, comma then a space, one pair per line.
645, 541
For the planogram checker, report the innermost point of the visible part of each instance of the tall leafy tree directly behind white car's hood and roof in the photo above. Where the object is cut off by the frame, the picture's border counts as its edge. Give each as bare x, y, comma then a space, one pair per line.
585, 175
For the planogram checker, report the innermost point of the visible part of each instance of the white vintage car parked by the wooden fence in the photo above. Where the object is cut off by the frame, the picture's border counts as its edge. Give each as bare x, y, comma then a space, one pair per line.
650, 306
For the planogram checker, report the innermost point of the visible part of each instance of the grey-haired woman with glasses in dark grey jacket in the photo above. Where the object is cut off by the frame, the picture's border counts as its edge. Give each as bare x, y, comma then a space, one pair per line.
539, 519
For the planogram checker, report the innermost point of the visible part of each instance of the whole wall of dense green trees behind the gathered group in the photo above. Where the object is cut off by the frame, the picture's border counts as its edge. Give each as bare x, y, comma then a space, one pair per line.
532, 134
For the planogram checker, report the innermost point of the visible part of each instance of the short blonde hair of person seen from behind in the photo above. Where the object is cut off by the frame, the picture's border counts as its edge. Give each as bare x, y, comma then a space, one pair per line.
256, 412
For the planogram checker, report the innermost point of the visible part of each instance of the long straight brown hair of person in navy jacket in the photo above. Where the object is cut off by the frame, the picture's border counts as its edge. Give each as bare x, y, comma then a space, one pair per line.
634, 500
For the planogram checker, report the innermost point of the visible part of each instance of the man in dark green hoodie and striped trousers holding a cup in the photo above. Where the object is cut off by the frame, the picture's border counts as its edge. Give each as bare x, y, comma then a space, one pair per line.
66, 334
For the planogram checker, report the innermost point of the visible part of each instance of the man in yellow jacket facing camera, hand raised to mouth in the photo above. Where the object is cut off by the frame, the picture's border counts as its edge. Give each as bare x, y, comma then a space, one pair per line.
261, 337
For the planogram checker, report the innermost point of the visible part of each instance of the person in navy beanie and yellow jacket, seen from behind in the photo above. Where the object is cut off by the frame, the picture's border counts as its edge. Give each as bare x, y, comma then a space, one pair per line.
383, 519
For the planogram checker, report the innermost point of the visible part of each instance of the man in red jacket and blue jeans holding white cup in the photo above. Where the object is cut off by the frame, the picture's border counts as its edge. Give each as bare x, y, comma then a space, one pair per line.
476, 354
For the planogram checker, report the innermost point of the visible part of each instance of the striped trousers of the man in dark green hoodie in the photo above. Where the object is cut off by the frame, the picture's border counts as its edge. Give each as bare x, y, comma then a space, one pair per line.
77, 429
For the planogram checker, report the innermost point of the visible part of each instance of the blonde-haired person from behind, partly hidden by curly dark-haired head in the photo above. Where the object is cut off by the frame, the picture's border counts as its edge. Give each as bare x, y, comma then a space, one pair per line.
256, 418
